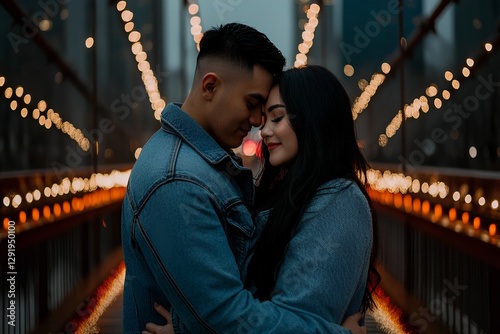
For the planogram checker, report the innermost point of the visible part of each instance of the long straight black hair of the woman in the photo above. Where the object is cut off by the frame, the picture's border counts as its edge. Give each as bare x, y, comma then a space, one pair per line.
319, 110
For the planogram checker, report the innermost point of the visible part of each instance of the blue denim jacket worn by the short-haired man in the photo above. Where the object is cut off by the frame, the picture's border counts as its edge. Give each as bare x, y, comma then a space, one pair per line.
186, 233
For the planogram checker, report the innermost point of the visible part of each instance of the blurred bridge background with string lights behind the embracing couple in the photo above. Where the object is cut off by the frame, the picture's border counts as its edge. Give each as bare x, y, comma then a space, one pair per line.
82, 85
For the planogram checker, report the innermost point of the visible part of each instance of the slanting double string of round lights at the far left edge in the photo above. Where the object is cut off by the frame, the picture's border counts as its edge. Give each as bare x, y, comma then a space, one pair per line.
46, 120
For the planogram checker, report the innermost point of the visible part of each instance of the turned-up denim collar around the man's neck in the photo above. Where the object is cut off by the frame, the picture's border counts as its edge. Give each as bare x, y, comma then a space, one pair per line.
174, 119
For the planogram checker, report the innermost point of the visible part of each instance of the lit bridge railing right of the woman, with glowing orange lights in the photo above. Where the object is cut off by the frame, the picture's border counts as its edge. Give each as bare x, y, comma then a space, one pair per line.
440, 252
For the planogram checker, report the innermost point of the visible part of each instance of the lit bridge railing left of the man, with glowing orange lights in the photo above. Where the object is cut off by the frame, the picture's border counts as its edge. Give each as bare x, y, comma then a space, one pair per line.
60, 240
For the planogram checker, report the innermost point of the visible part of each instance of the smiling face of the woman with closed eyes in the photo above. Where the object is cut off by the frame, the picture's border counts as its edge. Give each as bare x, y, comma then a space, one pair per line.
277, 132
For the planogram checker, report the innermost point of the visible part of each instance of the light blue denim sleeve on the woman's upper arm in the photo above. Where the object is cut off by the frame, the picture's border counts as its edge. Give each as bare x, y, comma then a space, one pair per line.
326, 264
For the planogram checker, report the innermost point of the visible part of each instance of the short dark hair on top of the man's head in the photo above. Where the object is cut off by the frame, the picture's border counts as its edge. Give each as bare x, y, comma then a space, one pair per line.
241, 45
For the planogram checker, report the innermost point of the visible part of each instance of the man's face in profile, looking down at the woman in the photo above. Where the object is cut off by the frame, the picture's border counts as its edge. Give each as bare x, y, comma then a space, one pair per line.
237, 106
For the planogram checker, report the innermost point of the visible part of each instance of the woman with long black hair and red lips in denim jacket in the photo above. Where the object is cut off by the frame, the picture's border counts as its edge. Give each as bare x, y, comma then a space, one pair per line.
314, 253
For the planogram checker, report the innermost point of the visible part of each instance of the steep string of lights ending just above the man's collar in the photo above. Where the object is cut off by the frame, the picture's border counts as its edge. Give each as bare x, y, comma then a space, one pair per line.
148, 77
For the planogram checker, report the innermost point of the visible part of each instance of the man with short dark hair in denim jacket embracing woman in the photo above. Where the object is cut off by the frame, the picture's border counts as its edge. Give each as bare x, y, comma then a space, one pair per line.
186, 224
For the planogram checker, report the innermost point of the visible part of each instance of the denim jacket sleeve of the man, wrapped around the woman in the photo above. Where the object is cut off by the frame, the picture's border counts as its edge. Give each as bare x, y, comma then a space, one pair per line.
185, 246
